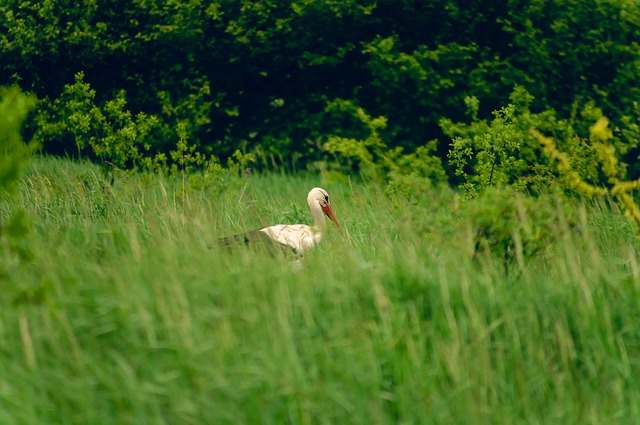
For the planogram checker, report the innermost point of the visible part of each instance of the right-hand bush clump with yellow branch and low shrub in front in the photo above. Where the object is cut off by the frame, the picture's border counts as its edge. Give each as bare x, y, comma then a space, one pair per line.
519, 181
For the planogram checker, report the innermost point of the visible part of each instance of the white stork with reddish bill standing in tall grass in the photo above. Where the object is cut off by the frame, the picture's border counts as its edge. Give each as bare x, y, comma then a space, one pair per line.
296, 238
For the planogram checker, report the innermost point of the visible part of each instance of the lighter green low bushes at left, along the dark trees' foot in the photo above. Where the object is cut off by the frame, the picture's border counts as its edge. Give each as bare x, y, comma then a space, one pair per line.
119, 140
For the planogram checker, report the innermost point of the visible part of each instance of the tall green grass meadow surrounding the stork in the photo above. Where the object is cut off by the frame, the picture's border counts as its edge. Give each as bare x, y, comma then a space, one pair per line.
124, 316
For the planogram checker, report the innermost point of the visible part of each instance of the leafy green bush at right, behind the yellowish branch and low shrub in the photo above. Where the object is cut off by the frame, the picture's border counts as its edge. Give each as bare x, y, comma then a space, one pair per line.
503, 151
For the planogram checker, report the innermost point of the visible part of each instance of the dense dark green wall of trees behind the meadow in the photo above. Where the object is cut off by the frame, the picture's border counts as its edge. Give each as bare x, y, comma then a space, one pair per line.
266, 76
